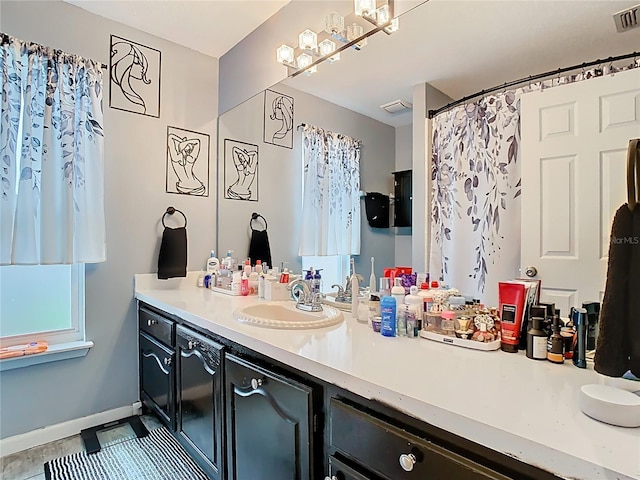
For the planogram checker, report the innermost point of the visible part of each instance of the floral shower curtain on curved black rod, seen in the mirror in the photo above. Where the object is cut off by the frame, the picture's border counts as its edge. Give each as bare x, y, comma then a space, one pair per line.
475, 195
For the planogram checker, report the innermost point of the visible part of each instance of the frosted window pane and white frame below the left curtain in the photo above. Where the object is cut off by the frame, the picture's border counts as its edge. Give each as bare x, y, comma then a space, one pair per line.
41, 302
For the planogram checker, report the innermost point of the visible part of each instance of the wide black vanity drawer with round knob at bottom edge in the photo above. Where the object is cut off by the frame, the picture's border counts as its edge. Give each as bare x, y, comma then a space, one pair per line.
393, 453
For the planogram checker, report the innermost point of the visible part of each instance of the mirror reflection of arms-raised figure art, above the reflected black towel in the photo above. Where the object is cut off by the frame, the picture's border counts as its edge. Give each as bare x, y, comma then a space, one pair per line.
240, 170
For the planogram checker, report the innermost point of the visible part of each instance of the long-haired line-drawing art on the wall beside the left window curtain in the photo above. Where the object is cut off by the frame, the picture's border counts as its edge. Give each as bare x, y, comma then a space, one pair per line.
134, 77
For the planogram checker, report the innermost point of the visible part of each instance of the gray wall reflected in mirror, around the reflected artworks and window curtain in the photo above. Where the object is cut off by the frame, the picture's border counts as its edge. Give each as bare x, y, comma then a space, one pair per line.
280, 178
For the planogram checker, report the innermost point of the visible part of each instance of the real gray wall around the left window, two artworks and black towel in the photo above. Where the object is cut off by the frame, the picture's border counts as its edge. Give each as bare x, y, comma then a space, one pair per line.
135, 156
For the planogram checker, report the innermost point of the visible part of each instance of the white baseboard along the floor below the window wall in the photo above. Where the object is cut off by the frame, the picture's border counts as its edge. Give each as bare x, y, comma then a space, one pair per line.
21, 442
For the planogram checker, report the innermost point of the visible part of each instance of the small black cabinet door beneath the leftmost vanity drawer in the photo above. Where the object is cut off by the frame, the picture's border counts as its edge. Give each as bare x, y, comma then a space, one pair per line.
157, 378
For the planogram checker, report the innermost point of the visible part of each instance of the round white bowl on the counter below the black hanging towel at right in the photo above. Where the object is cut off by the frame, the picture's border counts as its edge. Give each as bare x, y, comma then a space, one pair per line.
610, 405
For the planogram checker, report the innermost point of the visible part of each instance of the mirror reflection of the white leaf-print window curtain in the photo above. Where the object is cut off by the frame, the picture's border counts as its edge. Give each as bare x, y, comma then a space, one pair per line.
331, 194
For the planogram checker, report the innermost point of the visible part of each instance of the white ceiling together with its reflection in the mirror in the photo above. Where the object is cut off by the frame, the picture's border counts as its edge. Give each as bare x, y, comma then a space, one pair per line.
459, 47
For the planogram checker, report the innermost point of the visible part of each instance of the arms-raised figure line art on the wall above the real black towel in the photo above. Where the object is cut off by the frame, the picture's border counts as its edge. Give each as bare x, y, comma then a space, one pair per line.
187, 162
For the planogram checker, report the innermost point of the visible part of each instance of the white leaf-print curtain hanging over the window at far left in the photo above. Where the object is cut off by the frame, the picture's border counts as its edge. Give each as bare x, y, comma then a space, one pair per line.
51, 150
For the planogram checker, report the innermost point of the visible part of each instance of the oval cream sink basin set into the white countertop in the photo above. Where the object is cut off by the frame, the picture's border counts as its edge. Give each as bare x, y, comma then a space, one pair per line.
285, 315
